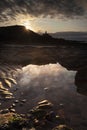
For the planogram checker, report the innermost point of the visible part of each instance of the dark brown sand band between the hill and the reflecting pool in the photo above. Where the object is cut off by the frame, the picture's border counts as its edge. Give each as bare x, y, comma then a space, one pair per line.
71, 57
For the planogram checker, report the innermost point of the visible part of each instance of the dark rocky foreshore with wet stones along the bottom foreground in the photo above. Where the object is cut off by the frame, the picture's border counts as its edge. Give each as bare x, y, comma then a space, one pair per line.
41, 117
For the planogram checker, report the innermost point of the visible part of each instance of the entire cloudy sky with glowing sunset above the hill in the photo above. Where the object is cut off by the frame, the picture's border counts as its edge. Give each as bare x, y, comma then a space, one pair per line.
45, 15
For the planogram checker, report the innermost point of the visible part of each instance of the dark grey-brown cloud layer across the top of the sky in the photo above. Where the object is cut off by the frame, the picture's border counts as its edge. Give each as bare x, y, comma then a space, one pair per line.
9, 9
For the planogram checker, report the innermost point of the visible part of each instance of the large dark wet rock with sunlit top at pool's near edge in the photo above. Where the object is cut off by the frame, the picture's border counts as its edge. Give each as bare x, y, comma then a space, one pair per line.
38, 114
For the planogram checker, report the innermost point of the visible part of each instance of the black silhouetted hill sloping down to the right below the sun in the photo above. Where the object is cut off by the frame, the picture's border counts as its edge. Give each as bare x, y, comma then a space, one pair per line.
19, 35
